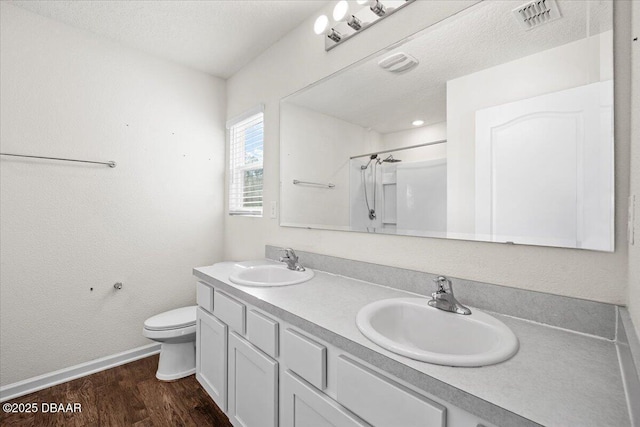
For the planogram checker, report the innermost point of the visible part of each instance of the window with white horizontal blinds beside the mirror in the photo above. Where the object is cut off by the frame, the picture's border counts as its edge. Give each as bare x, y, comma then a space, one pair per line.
246, 138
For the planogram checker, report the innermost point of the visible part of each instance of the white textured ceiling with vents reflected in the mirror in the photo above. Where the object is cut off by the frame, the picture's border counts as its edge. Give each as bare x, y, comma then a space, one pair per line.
483, 36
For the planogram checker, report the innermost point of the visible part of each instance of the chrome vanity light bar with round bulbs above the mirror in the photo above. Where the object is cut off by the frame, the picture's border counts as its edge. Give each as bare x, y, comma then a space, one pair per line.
352, 17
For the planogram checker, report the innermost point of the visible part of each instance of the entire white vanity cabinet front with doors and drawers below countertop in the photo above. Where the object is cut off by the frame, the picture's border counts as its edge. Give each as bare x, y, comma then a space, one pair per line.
264, 372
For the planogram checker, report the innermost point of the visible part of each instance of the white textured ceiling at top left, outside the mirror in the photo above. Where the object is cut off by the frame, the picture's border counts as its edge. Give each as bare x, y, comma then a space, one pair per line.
217, 37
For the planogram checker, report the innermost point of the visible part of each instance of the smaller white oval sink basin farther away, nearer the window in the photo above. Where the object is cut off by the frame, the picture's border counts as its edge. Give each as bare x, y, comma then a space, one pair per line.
269, 275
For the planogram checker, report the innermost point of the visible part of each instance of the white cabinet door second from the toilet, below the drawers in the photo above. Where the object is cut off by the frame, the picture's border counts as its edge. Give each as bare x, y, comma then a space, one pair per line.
253, 385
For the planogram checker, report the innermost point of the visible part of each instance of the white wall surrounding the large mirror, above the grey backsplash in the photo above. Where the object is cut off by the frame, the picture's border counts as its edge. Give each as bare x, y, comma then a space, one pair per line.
299, 59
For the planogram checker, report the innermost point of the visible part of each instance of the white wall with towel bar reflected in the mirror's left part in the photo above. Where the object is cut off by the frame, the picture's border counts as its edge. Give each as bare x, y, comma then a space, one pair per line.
318, 148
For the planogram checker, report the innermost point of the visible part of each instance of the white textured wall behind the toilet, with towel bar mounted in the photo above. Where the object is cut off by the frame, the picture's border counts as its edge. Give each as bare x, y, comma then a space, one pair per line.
68, 227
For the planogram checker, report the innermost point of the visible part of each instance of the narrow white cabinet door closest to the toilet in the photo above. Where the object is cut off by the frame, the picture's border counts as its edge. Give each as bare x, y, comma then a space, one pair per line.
211, 357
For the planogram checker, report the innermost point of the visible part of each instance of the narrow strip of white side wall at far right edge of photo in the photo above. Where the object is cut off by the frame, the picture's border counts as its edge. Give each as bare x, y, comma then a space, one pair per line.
634, 250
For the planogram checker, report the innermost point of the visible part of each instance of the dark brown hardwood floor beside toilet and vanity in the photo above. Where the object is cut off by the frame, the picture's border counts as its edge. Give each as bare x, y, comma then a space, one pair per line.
127, 395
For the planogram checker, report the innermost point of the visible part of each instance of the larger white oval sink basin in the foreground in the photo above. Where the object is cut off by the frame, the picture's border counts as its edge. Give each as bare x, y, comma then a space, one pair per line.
412, 328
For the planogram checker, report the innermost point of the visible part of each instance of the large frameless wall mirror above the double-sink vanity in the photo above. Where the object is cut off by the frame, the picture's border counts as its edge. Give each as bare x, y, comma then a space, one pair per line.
495, 124
